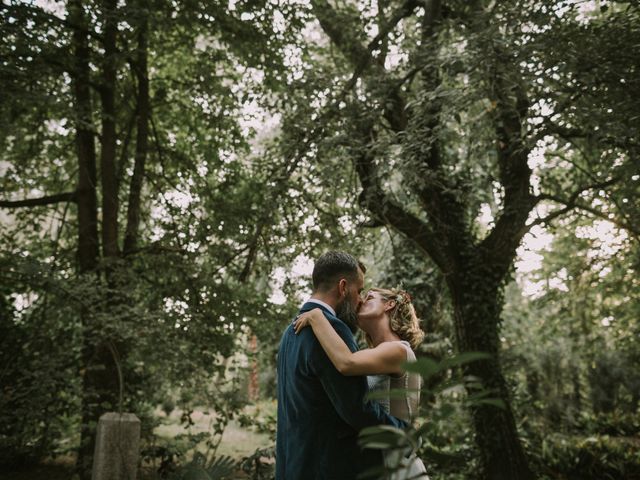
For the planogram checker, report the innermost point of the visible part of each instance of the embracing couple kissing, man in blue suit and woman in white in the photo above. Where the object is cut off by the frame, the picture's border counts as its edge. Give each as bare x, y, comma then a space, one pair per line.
323, 379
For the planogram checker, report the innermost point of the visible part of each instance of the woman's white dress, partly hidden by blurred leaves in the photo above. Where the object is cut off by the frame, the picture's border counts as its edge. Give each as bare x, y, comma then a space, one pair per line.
404, 408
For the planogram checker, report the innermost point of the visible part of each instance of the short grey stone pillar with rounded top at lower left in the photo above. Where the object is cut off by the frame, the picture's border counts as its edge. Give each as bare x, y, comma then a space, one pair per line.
117, 447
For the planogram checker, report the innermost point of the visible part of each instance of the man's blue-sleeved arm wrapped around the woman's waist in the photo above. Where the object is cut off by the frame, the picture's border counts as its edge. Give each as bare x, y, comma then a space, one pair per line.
347, 394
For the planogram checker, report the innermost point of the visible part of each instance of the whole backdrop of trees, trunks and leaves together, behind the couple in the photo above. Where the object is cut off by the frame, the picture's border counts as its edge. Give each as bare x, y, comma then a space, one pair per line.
169, 168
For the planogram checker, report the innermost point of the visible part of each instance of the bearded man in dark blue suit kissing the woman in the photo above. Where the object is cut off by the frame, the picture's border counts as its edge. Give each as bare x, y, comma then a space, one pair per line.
320, 411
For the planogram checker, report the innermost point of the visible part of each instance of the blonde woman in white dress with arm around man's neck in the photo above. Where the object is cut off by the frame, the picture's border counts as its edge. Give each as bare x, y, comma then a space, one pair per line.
392, 331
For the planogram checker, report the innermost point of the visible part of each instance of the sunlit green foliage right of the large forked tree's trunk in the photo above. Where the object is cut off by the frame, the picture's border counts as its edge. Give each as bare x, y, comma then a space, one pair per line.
569, 356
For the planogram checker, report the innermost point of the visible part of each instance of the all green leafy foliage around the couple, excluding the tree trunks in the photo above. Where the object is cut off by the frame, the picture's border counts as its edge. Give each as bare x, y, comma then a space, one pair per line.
231, 200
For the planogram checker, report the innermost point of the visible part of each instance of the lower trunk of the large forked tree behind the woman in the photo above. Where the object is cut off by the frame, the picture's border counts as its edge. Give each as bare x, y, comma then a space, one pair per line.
477, 306
